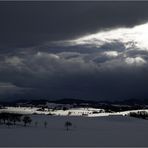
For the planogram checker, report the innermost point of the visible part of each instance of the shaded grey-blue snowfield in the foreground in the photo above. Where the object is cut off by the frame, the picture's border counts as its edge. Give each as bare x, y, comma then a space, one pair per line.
99, 131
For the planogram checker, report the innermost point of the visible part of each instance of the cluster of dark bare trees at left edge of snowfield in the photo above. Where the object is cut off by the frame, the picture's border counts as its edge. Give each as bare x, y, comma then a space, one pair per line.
10, 119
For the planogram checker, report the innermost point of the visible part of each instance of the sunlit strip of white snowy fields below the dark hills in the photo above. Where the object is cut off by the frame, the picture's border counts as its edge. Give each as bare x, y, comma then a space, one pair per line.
89, 112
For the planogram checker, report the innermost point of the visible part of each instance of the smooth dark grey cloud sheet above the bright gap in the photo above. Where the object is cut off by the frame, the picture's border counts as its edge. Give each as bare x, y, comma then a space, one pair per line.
26, 24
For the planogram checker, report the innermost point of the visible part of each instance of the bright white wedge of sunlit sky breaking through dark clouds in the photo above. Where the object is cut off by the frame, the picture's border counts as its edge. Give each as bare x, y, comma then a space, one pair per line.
136, 36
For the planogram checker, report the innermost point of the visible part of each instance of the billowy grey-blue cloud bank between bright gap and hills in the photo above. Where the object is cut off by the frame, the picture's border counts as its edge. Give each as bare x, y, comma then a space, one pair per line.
72, 74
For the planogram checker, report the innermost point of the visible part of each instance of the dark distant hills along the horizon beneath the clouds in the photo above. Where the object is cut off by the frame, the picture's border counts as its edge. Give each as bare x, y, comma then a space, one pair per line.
131, 102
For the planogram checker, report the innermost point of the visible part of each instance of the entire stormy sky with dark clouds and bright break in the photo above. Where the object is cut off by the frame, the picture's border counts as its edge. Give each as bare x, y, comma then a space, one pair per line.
85, 50
